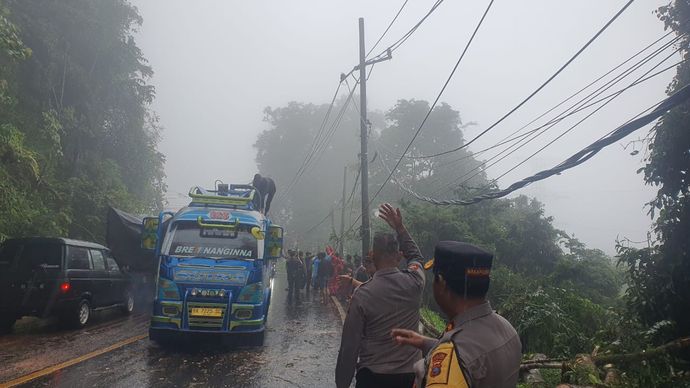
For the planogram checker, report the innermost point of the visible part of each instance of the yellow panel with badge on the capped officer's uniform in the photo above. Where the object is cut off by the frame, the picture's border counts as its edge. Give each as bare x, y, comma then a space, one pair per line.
444, 368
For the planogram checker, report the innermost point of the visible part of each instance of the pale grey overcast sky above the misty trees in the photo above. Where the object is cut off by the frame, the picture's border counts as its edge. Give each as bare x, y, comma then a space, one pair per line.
219, 63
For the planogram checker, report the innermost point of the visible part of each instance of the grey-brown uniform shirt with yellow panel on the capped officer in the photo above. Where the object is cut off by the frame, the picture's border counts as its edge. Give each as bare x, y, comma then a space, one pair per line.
486, 348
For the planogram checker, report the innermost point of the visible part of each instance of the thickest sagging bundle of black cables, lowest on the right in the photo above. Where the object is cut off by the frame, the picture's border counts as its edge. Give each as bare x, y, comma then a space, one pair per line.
576, 159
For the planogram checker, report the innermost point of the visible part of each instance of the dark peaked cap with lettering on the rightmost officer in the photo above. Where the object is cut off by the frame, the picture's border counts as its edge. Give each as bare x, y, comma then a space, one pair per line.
465, 267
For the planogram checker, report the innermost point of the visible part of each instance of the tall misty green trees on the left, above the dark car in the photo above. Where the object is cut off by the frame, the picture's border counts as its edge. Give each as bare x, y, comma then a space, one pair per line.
76, 132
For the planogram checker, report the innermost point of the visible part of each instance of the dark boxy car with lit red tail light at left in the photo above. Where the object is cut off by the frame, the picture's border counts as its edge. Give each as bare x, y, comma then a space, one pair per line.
69, 279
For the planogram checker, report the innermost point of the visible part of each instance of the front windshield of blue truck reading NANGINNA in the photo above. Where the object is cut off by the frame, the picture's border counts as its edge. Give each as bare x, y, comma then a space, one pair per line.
188, 239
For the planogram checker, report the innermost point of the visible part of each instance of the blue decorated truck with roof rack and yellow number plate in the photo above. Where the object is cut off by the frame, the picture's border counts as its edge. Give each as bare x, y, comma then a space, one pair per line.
215, 260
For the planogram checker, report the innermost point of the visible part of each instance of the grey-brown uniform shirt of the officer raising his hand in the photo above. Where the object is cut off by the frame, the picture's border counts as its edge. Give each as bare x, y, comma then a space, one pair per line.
391, 299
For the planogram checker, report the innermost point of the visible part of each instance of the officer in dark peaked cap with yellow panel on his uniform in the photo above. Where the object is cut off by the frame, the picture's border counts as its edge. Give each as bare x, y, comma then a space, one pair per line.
479, 347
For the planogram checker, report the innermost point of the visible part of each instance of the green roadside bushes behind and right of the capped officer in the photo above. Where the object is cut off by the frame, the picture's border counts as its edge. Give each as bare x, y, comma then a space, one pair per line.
559, 295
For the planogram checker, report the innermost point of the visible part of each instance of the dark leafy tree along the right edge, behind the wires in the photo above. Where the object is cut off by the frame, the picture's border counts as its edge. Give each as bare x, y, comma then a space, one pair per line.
660, 274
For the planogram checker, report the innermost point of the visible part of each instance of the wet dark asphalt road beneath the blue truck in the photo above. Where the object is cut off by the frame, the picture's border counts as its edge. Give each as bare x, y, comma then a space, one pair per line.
300, 350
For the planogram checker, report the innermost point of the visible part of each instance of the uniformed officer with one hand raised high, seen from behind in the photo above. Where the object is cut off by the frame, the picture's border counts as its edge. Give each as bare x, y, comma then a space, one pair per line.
391, 299
